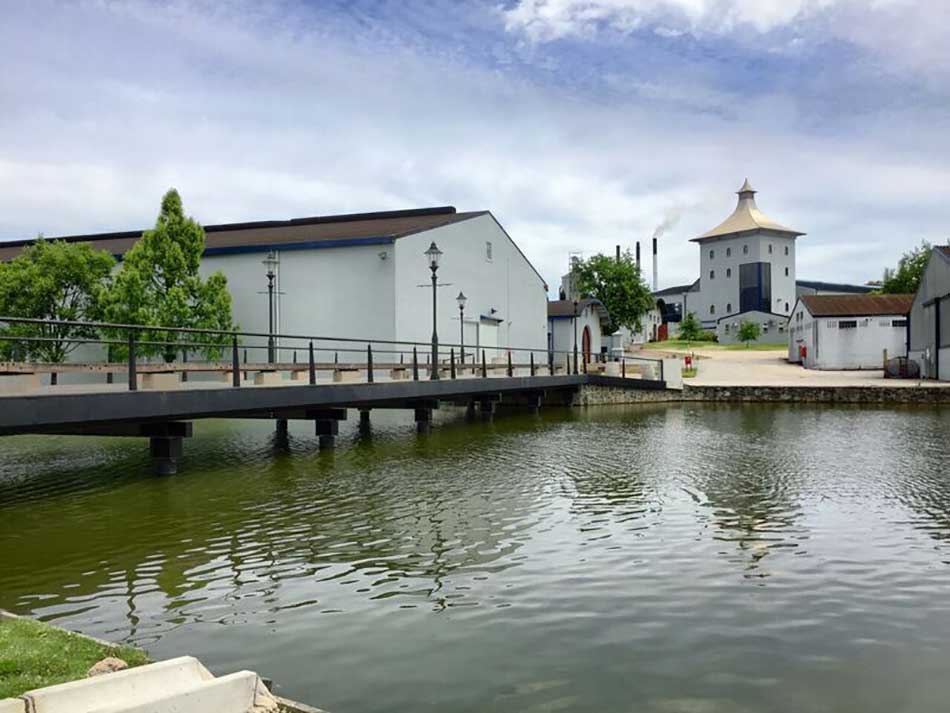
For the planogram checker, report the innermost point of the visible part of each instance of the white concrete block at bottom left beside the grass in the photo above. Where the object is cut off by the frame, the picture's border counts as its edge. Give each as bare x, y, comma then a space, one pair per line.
130, 687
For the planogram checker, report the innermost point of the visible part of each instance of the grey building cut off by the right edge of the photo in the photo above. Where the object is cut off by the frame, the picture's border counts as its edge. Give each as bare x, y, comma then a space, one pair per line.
930, 318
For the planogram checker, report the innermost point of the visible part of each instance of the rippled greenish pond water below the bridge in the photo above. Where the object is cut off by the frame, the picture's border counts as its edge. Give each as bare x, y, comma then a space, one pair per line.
690, 558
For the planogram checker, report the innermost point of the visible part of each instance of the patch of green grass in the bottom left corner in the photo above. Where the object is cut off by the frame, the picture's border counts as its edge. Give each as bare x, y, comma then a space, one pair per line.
34, 655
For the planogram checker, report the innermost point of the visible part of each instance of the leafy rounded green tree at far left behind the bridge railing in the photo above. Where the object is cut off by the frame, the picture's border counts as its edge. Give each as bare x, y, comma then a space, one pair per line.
52, 280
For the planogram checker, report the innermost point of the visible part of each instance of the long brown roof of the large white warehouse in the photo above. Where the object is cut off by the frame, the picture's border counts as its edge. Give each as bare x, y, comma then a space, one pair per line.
354, 226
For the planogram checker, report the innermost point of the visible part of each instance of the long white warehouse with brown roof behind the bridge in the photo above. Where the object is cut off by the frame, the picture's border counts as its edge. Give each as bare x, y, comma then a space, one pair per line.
365, 276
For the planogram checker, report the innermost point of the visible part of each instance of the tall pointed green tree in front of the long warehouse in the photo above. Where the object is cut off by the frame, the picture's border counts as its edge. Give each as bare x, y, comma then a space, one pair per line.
159, 285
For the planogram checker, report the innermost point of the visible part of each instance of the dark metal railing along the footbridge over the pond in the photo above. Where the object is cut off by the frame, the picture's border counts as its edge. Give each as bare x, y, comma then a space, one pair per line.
235, 352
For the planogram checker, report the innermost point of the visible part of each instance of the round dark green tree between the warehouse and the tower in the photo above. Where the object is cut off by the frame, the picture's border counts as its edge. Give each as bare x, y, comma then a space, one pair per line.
619, 285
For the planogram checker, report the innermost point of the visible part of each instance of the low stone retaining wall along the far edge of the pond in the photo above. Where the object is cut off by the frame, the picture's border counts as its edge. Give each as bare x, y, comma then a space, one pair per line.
603, 395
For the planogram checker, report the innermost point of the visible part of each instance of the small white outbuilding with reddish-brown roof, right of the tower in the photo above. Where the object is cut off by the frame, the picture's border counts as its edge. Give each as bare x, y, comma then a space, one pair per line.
848, 331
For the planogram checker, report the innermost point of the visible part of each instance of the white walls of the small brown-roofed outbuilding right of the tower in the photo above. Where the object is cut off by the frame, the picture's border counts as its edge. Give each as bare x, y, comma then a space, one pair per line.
829, 345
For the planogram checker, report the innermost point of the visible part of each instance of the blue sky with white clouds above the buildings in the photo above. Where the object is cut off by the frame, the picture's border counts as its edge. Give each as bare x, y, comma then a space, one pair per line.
581, 124
